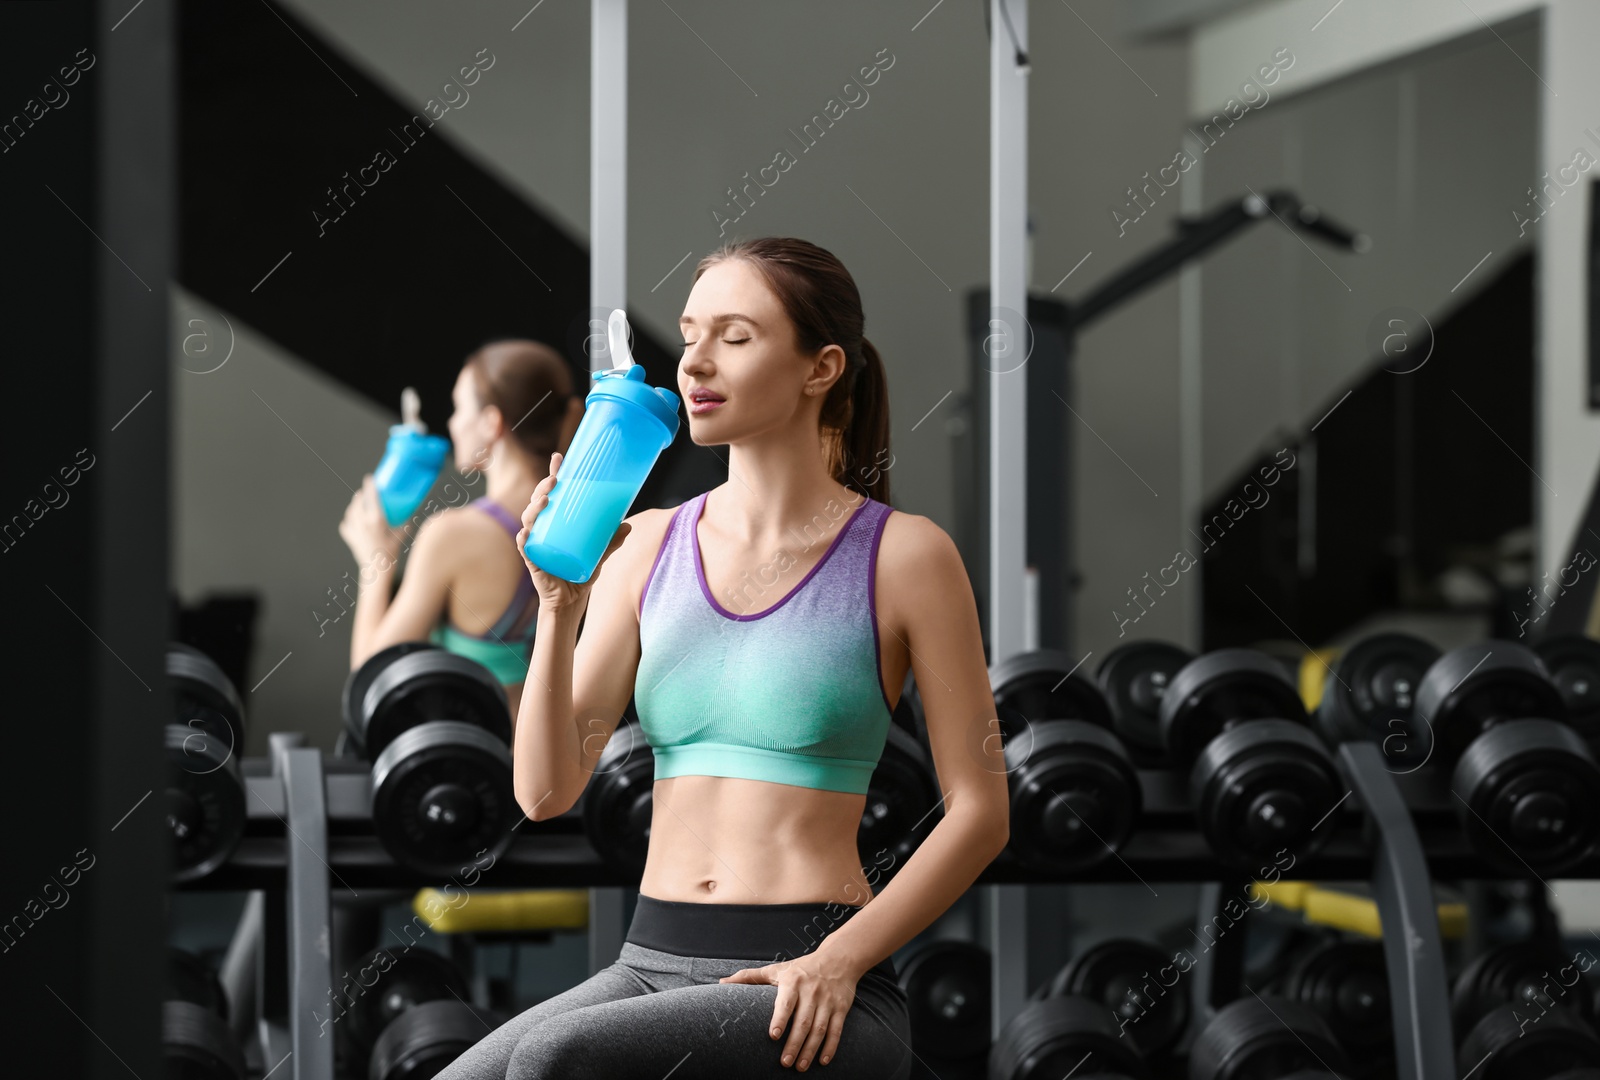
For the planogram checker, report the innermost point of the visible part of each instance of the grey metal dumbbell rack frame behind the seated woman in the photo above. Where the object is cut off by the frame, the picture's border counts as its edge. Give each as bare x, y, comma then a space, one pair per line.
310, 828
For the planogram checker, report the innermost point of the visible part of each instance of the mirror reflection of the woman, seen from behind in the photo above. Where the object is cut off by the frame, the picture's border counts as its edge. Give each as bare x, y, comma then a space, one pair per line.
466, 585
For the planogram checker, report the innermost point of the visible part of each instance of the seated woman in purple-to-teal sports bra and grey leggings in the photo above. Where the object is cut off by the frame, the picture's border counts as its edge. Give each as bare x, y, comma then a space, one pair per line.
761, 630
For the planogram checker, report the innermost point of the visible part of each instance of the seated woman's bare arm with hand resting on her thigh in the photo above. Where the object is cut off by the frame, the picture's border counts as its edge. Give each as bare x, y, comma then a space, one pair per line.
934, 614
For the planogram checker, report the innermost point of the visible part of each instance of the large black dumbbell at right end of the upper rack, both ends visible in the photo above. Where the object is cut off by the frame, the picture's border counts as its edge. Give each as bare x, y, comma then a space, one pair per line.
1524, 782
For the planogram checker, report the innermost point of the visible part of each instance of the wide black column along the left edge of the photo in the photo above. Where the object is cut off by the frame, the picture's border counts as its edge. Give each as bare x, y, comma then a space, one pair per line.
87, 194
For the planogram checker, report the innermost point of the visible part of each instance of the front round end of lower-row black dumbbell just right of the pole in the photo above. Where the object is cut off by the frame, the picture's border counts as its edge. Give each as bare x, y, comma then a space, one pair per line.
1065, 1036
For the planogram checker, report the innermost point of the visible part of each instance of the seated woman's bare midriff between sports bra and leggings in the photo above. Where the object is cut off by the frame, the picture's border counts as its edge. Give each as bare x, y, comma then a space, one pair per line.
727, 841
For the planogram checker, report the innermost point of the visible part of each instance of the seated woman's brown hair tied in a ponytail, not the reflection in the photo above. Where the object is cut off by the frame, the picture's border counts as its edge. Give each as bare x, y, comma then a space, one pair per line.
823, 303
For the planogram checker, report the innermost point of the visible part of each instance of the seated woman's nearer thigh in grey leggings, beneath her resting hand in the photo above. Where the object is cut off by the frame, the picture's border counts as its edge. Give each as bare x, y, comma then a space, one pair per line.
710, 1030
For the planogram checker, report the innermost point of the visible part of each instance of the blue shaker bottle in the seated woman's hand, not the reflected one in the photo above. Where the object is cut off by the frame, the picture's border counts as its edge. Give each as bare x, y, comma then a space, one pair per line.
626, 426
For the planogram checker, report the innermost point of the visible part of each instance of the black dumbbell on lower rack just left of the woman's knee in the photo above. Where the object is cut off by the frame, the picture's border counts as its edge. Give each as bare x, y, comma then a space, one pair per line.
414, 1018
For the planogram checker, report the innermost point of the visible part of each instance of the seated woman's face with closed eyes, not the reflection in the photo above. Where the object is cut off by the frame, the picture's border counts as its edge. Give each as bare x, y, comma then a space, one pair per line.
740, 351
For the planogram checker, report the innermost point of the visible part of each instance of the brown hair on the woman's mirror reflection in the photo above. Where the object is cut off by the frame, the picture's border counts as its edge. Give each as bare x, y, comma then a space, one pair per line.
532, 386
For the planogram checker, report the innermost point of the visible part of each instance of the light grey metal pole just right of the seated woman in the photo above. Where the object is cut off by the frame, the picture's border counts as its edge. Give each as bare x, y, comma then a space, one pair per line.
1007, 418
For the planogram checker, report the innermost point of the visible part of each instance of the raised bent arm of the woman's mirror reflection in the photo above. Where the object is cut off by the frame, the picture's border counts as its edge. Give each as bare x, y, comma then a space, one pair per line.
425, 591
